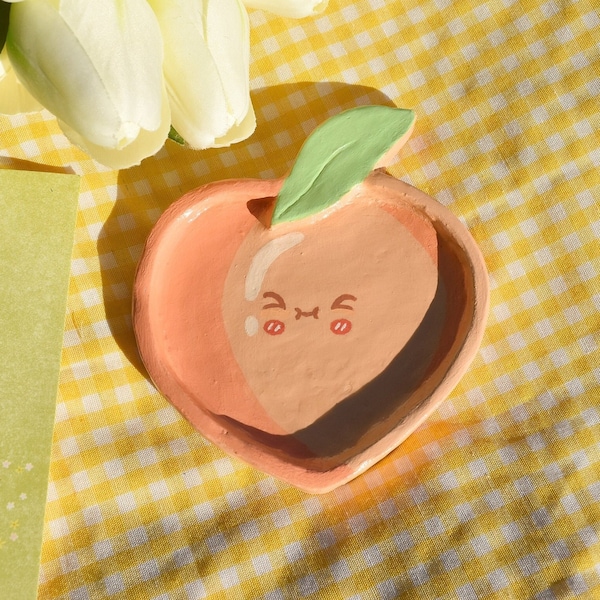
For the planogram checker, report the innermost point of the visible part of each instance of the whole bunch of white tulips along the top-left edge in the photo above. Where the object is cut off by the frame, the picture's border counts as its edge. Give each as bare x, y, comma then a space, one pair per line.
118, 74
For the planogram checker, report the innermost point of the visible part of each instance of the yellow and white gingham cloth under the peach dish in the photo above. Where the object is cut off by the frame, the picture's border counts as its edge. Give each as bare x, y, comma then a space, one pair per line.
498, 494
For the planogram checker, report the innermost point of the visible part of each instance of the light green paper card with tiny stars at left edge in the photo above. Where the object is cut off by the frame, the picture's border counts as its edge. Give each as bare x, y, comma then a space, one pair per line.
37, 224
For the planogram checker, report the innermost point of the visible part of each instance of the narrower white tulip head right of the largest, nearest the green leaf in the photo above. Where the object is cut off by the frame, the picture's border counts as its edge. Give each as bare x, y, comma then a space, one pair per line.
206, 45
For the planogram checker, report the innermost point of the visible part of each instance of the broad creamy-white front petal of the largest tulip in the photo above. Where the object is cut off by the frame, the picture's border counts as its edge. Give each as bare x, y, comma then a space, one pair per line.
95, 65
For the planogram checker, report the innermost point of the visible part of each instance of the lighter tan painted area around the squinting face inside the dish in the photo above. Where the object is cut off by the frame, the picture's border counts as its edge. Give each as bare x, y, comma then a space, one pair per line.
313, 316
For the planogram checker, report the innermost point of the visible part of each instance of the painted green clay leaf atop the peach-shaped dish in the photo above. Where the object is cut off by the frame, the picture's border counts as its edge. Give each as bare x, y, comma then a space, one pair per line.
339, 154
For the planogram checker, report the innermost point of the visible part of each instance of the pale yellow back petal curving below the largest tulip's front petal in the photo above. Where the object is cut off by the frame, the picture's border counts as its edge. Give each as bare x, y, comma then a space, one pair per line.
146, 144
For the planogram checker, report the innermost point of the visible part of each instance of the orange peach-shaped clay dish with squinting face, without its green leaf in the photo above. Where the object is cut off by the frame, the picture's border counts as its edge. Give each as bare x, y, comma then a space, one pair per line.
312, 347
